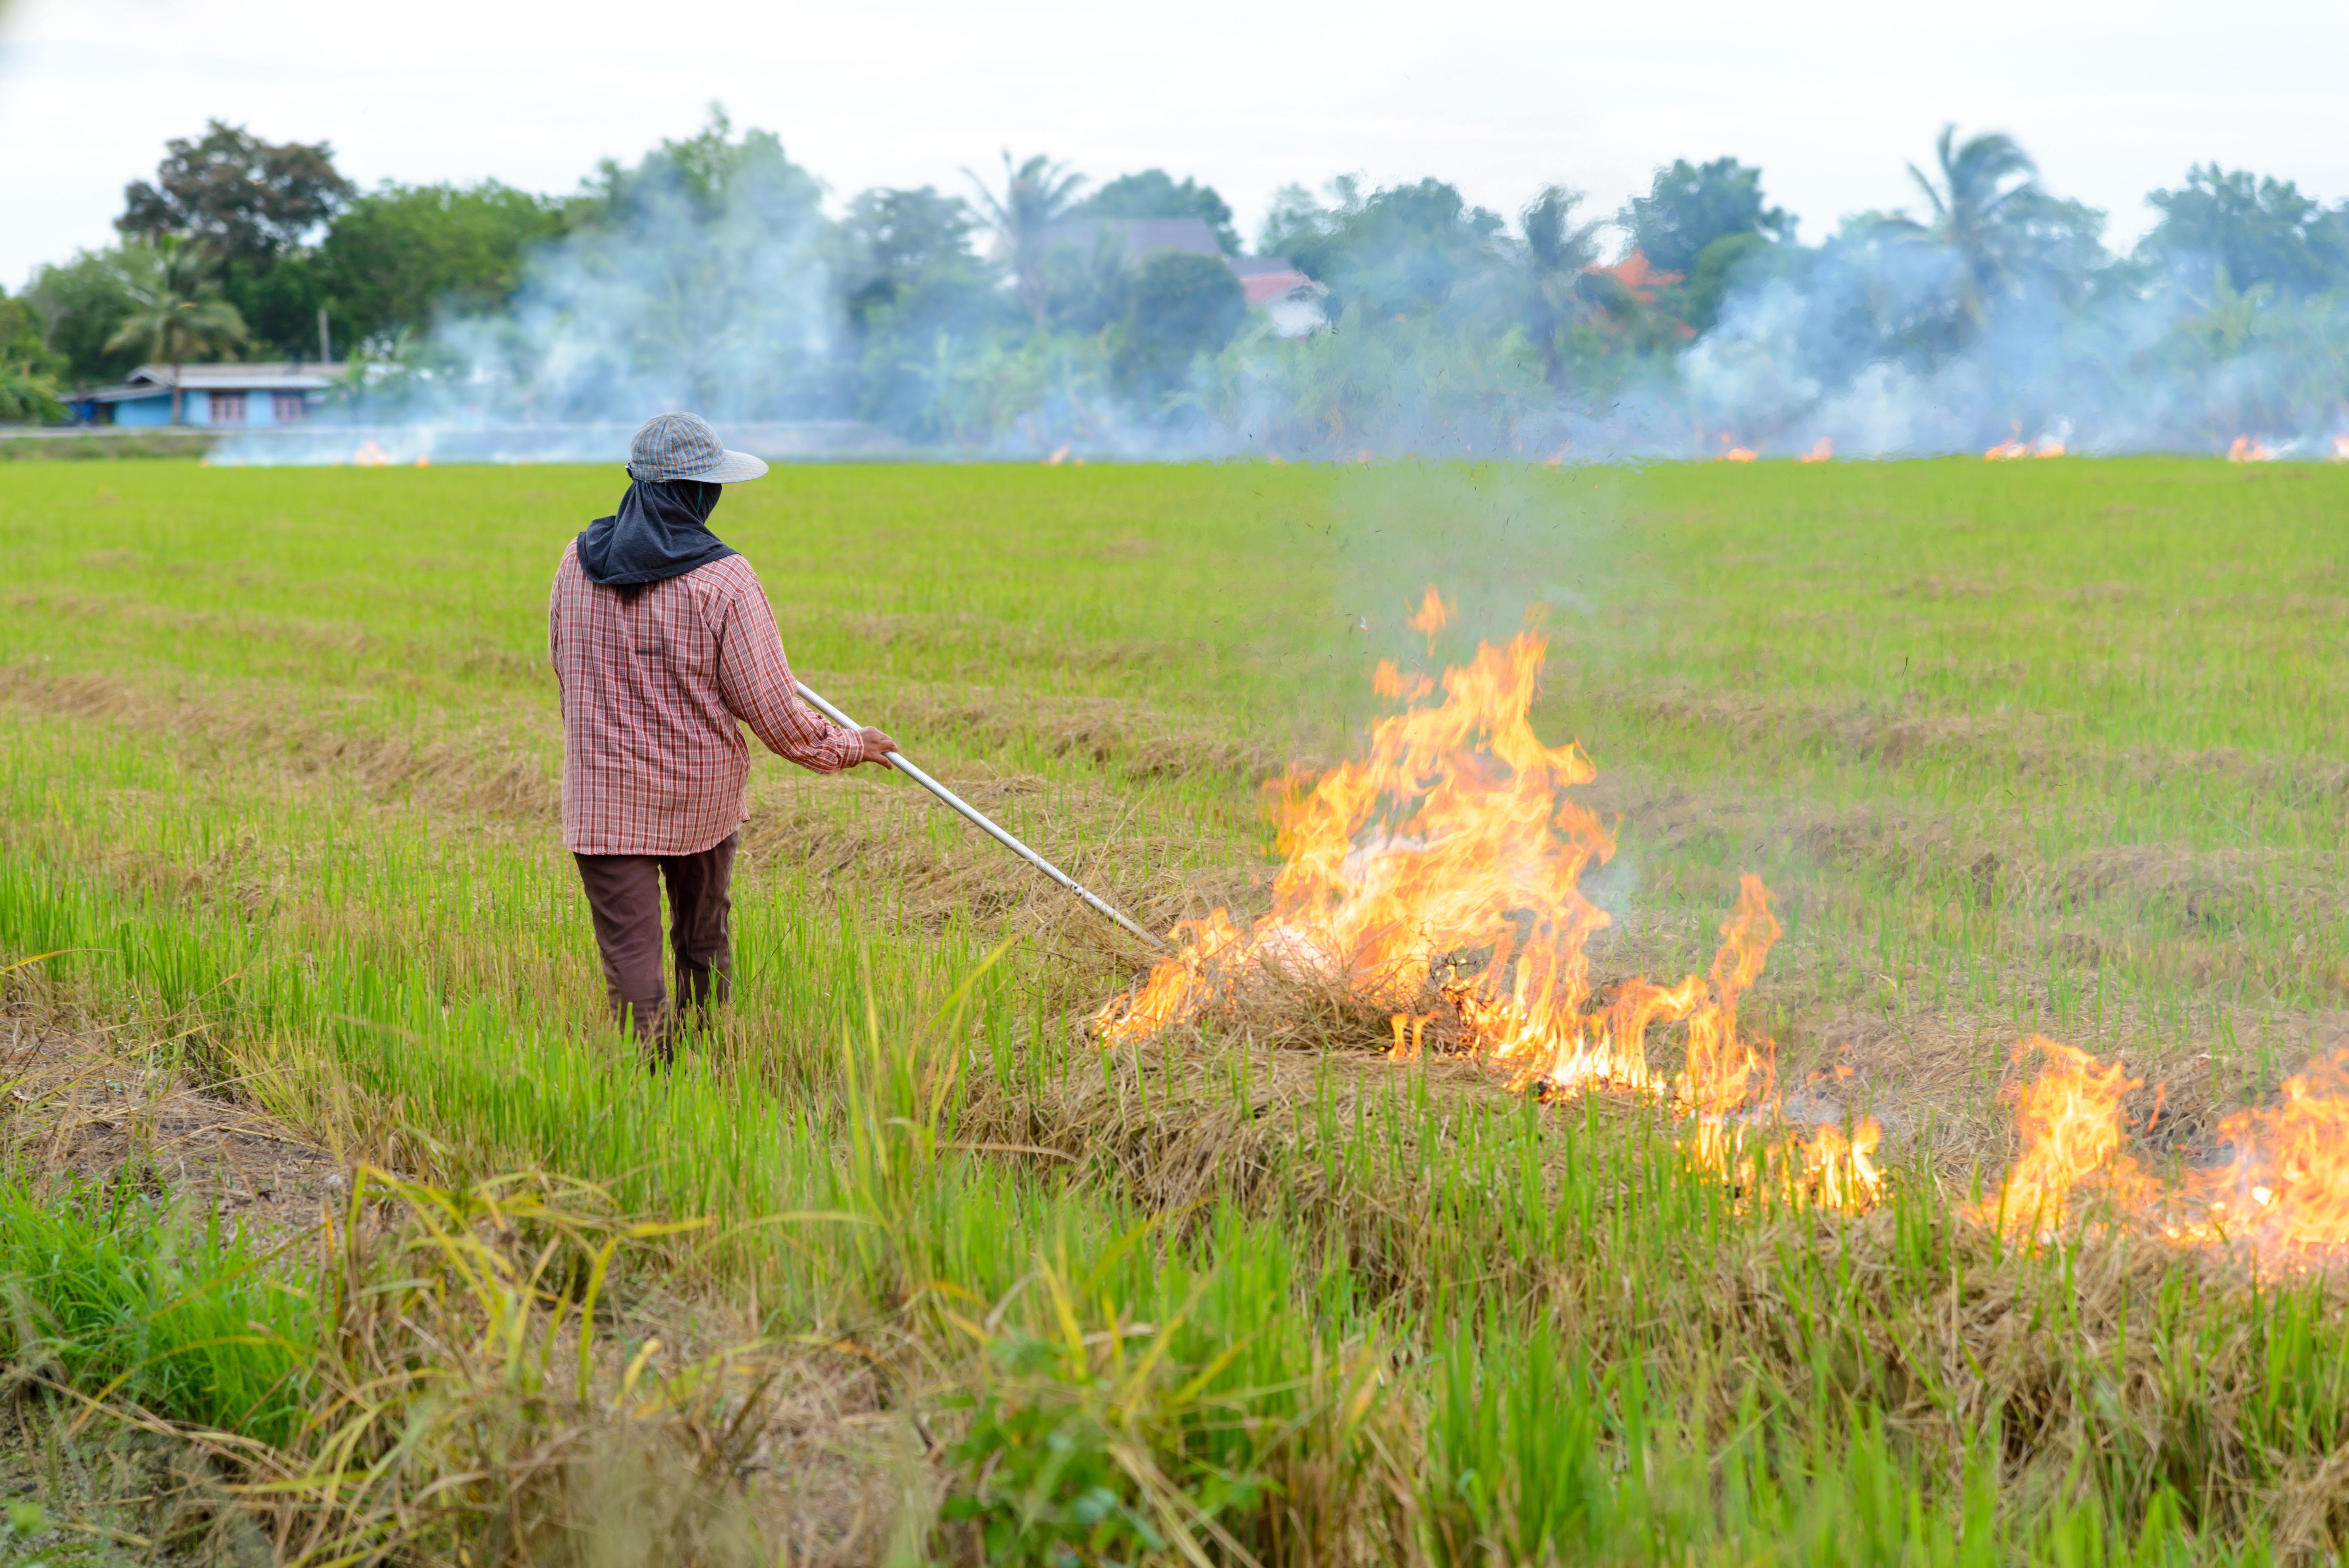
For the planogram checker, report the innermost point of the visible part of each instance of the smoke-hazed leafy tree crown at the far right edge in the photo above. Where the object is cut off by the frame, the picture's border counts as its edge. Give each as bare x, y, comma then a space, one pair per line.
2256, 231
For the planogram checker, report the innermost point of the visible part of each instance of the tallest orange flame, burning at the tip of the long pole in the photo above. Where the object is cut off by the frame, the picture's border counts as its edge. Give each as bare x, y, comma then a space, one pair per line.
1439, 879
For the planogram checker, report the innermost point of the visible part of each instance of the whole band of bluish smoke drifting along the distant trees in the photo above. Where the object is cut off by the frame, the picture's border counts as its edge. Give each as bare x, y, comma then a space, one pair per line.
708, 278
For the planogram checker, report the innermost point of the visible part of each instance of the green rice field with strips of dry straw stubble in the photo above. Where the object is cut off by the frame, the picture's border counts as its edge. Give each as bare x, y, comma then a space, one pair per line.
908, 1266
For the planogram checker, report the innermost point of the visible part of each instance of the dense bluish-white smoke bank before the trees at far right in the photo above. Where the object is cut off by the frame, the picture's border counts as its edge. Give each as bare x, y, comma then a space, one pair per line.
1869, 351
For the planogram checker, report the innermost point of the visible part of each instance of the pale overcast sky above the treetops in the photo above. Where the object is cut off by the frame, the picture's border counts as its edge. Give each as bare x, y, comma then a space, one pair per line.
1831, 100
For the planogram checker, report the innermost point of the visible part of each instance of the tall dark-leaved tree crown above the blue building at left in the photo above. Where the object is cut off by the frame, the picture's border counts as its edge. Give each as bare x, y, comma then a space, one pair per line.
255, 201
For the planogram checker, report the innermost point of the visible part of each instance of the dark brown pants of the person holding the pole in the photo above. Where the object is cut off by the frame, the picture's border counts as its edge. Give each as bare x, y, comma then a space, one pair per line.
624, 893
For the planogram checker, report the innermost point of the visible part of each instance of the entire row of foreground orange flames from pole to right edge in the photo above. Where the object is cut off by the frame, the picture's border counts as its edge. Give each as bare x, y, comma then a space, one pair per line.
1439, 877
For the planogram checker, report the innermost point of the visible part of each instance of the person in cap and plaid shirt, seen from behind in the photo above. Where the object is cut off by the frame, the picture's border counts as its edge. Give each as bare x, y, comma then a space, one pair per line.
661, 642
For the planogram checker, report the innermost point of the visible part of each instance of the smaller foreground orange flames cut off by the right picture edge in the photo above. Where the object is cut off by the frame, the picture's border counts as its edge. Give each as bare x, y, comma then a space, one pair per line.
2282, 1196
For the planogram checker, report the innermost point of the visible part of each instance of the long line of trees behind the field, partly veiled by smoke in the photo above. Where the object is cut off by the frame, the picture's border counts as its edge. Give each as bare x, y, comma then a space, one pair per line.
711, 271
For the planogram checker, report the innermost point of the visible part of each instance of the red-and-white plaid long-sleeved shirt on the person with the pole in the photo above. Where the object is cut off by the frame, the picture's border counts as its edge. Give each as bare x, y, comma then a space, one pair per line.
652, 689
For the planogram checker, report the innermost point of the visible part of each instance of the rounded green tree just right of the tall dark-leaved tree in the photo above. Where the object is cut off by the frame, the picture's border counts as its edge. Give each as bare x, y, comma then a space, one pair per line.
403, 257
